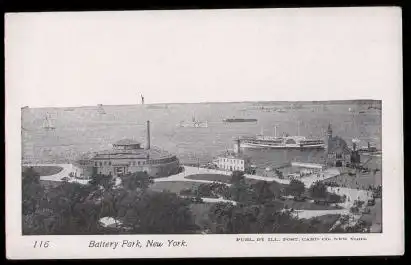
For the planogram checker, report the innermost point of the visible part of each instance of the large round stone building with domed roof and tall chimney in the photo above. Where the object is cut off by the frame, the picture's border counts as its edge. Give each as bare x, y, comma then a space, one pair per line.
128, 156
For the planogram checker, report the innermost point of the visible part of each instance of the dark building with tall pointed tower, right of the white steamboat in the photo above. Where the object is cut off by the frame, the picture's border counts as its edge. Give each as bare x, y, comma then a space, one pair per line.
338, 154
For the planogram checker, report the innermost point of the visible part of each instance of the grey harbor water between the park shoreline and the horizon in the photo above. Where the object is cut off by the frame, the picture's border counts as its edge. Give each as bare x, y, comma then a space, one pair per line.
86, 129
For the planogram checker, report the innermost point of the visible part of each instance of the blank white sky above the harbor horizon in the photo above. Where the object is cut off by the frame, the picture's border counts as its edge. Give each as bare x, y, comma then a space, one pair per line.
89, 58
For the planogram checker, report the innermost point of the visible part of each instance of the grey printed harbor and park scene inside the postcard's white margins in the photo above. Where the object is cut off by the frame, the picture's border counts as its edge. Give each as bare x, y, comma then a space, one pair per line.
258, 167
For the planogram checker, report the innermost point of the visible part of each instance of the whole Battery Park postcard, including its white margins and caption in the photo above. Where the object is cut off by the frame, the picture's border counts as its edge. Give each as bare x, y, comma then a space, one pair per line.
250, 129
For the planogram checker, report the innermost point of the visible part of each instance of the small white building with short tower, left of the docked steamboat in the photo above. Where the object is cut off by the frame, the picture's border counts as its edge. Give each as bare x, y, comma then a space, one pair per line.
234, 160
